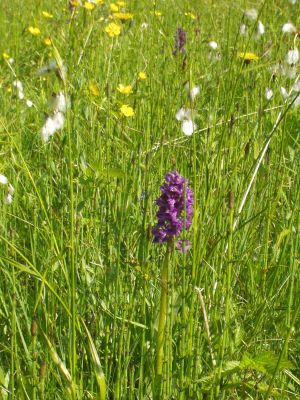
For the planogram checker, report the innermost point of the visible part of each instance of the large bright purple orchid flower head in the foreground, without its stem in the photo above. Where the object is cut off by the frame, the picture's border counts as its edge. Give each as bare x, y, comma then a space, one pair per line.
175, 208
